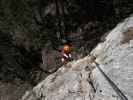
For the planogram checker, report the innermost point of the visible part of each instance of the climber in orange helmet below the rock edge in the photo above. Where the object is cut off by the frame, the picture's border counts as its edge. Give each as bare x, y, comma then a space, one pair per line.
66, 53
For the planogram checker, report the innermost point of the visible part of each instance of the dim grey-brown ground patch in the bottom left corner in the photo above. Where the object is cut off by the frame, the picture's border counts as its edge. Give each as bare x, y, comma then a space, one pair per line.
12, 91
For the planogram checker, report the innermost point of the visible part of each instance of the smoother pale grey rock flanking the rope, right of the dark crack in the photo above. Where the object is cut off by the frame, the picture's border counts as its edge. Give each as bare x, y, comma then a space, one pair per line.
115, 56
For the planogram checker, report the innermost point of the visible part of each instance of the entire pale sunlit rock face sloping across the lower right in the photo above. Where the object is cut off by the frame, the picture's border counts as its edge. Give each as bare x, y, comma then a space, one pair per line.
81, 80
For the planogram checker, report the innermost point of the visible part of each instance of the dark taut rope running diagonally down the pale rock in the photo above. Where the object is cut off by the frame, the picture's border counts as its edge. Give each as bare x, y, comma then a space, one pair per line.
113, 85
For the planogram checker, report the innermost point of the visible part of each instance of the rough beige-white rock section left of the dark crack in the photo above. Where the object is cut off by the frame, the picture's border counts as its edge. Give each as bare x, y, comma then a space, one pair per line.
70, 82
